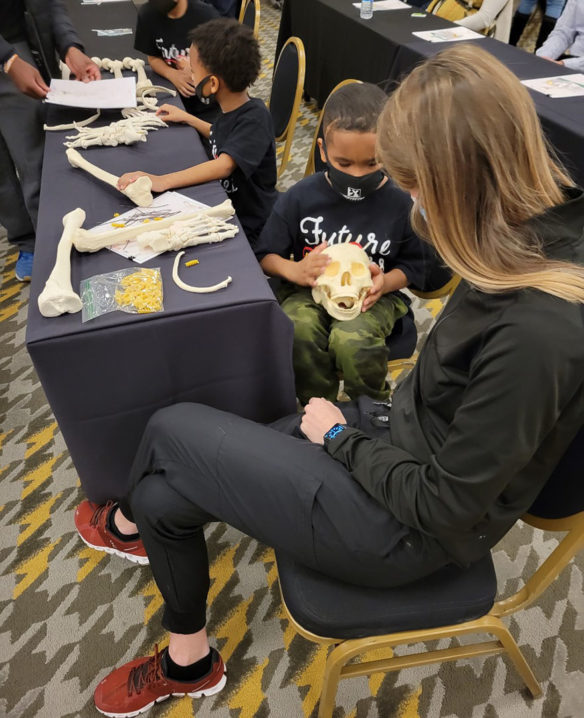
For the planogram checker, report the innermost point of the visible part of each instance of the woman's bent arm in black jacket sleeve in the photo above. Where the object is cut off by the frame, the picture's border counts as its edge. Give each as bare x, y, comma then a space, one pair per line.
515, 394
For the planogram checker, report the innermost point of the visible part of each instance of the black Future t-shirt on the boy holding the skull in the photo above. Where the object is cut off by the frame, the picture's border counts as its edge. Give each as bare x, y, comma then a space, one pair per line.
312, 211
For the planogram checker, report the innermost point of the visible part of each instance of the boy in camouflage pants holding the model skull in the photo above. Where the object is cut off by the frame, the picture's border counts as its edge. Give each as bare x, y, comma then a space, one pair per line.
353, 201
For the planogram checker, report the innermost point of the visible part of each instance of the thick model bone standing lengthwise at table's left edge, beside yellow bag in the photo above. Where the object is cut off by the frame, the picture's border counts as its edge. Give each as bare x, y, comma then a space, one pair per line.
58, 296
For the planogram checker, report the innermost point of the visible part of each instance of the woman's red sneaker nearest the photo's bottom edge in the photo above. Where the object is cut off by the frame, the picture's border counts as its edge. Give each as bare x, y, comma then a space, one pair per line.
139, 684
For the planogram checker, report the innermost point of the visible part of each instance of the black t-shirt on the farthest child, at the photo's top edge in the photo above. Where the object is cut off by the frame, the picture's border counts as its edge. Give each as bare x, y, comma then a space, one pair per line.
161, 36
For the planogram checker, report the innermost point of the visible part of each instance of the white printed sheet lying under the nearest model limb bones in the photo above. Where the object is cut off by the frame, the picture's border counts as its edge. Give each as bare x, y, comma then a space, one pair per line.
165, 205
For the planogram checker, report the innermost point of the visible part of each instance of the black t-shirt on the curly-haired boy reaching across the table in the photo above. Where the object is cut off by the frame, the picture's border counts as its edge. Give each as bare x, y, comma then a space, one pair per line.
247, 136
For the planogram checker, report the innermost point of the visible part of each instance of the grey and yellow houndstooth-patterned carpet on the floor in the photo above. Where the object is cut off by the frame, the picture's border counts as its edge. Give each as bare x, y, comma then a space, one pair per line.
68, 614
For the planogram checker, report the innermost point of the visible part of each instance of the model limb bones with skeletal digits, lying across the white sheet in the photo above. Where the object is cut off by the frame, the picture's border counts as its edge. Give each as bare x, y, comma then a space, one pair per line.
206, 225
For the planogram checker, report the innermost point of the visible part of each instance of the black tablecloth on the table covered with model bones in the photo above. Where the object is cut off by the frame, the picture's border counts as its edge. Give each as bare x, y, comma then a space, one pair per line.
103, 379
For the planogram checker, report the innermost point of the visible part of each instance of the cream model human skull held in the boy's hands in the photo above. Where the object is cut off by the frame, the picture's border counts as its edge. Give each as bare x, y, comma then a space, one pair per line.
342, 287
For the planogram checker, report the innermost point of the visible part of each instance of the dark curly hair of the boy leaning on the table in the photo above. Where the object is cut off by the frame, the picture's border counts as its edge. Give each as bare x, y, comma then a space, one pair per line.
229, 50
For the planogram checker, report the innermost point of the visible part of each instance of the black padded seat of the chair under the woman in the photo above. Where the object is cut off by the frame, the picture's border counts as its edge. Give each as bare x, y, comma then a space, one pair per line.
334, 609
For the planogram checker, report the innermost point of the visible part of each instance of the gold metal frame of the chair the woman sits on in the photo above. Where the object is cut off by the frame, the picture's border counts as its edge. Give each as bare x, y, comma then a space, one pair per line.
338, 662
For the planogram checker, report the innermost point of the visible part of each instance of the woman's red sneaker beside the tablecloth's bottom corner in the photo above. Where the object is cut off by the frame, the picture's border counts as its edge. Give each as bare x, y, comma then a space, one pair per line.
91, 524
